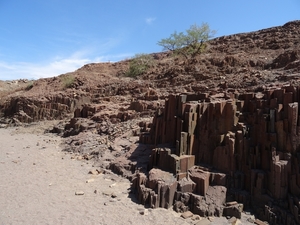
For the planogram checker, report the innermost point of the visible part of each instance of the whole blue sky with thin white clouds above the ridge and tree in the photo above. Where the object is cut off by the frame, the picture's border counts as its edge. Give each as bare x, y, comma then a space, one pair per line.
47, 38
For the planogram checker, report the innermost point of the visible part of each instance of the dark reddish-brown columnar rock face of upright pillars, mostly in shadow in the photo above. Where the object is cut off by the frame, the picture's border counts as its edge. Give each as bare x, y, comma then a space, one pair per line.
252, 139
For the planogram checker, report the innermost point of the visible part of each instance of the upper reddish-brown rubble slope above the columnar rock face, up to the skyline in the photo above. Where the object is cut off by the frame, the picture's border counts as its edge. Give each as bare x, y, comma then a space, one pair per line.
248, 61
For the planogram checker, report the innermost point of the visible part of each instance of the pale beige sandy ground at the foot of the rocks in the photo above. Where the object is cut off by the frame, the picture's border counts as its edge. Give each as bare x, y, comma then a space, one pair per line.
39, 183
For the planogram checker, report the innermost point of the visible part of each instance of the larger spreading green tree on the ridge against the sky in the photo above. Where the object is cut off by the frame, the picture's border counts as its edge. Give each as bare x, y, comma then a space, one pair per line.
190, 44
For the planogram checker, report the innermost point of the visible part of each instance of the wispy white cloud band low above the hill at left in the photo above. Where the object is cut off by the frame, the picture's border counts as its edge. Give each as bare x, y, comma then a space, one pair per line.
92, 52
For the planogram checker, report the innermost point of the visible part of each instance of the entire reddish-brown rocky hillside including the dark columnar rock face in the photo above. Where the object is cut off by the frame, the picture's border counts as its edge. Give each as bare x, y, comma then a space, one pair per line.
102, 115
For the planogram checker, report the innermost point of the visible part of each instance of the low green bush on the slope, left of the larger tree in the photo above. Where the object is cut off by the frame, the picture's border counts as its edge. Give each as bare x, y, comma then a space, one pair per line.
139, 64
